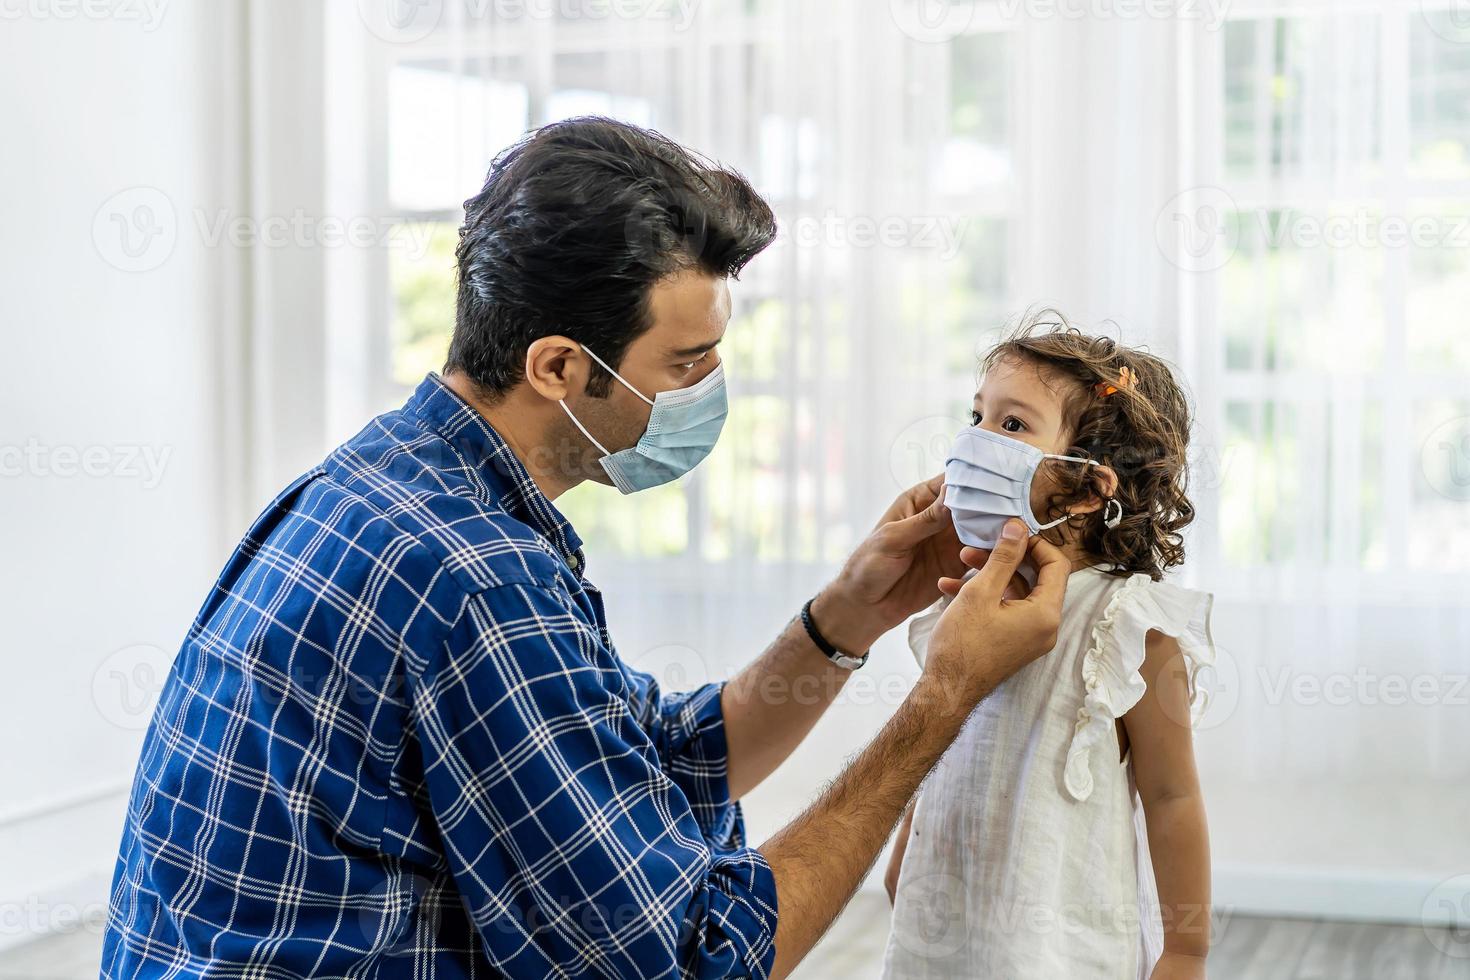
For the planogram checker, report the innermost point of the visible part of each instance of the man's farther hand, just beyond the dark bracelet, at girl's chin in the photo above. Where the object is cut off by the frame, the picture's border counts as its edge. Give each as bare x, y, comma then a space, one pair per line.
894, 572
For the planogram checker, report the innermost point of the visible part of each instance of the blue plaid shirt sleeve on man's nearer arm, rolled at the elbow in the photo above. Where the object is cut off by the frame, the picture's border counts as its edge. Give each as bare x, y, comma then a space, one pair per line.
580, 840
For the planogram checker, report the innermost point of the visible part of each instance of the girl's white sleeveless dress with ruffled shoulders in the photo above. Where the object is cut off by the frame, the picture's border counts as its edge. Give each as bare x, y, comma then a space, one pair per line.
1028, 857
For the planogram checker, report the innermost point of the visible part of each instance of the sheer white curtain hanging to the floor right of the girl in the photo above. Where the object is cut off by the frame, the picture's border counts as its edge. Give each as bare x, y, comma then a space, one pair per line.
1324, 249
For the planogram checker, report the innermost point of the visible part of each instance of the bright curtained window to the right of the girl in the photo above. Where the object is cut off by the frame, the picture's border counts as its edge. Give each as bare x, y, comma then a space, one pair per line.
1337, 318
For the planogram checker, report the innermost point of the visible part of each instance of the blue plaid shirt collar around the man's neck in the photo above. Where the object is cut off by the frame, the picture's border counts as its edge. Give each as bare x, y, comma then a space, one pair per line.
506, 477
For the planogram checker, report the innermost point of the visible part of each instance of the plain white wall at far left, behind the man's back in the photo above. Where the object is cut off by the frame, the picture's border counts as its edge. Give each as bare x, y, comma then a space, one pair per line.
107, 555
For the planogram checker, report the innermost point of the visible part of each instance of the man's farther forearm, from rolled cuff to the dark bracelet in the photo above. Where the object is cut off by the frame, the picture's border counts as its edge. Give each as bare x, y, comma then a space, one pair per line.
772, 705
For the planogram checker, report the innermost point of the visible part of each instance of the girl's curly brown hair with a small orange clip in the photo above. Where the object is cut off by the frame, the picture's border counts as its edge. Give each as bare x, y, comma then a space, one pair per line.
1141, 431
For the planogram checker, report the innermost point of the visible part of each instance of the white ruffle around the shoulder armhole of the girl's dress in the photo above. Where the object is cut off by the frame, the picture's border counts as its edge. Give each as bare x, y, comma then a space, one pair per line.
1114, 662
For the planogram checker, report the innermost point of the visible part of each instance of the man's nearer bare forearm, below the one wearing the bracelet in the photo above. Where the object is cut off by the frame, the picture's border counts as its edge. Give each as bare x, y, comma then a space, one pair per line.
824, 854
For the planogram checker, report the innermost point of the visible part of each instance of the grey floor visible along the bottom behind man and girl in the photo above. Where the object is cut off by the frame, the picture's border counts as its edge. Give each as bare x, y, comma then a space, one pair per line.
1246, 950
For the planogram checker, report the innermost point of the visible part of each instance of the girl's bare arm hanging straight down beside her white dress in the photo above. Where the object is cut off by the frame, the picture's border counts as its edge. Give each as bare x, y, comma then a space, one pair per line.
1169, 788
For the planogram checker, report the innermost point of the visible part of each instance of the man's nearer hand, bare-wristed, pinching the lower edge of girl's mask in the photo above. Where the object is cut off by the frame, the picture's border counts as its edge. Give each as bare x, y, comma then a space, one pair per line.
983, 637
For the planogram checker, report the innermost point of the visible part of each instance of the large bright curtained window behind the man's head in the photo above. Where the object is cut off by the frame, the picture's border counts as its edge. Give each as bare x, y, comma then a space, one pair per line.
896, 215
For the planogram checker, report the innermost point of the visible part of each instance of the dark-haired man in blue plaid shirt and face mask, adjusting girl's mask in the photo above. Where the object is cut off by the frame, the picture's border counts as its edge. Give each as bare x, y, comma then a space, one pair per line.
398, 740
